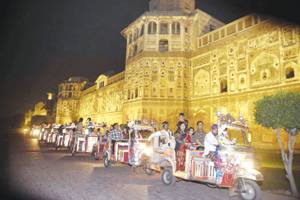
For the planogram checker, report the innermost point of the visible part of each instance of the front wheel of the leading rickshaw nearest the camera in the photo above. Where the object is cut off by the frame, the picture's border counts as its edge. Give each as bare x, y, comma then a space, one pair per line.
253, 191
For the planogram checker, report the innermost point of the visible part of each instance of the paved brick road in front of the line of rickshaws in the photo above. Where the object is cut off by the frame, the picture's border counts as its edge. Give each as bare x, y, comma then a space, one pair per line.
39, 173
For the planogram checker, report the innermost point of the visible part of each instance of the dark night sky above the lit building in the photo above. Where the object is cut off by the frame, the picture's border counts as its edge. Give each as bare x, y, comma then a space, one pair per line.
43, 42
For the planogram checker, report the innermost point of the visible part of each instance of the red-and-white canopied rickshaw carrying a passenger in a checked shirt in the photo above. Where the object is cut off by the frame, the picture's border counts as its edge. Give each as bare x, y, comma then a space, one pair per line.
129, 151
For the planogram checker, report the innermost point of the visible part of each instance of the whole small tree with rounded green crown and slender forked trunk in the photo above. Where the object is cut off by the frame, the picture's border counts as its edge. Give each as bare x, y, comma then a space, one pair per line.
282, 111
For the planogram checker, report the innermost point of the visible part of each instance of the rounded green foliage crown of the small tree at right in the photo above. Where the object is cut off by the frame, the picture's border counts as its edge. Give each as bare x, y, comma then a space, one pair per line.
279, 111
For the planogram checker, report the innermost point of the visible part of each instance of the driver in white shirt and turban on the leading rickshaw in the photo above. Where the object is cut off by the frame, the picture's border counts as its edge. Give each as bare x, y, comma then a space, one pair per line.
211, 141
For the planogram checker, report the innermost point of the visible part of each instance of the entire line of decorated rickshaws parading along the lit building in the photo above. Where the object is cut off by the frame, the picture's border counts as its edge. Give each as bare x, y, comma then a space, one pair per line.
155, 152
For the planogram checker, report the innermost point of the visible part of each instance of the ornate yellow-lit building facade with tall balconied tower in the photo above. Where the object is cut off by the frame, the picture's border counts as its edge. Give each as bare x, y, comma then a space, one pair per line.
180, 59
